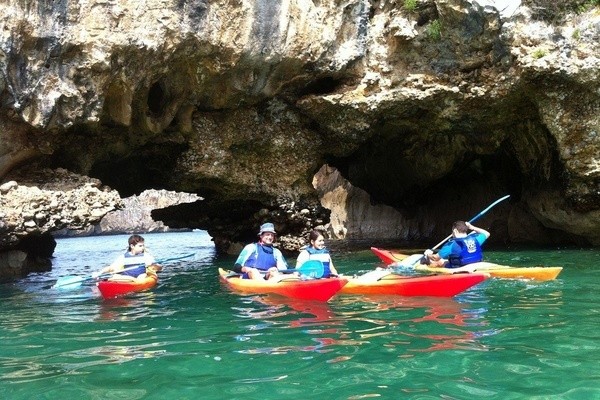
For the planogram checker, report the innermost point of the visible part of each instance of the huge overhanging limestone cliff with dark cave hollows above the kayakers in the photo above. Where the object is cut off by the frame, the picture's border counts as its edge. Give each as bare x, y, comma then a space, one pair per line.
431, 112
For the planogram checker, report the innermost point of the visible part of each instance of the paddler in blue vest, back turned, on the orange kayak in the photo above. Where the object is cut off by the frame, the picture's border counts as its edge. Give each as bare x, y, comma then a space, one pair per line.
464, 248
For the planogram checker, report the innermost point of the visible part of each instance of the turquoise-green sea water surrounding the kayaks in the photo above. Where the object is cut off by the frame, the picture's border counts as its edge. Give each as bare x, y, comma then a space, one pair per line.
190, 338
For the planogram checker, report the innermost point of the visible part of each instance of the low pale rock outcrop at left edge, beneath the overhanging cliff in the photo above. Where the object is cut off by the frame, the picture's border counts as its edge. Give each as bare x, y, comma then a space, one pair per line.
42, 201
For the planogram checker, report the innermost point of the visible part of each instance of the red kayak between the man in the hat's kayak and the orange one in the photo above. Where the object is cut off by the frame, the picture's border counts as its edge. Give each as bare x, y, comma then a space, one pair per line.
383, 282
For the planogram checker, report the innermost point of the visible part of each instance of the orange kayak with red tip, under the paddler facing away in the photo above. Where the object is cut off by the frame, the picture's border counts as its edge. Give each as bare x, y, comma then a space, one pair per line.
494, 270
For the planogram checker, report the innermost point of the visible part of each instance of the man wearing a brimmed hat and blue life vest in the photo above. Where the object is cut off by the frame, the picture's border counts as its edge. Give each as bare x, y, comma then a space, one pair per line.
261, 260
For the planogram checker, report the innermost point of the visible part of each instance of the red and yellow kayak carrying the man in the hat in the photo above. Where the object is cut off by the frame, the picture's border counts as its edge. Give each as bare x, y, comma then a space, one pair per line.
293, 287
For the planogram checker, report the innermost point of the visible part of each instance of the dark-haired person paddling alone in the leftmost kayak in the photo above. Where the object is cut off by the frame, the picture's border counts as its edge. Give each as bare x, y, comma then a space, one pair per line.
135, 264
